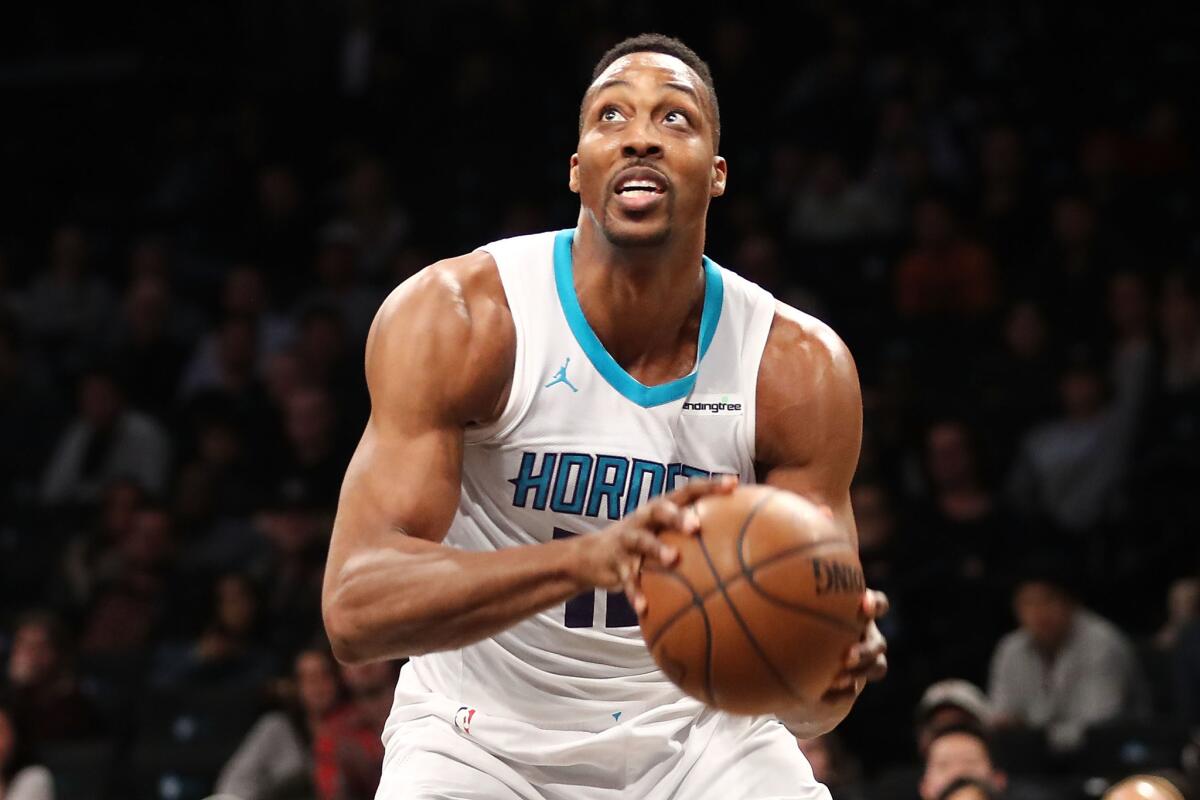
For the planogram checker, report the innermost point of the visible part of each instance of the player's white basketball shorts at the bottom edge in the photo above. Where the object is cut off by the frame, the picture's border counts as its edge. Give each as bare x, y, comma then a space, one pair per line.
713, 756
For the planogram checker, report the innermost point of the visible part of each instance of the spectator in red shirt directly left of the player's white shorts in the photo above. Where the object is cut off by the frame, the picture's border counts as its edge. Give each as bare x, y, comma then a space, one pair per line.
347, 751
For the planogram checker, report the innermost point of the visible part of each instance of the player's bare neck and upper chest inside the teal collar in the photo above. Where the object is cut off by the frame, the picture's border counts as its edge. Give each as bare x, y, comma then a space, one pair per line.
643, 303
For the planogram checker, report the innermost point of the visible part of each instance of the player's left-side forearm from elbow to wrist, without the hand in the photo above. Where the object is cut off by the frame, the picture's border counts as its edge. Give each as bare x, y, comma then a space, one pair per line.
422, 598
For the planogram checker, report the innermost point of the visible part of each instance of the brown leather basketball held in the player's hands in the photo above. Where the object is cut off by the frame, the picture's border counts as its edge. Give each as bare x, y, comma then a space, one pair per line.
759, 611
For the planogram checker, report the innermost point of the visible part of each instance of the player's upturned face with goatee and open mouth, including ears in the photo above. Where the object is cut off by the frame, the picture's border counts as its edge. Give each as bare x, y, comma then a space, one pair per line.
646, 166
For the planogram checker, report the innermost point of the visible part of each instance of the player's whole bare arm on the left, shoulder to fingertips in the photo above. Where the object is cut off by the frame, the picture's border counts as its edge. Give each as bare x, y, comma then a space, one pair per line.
440, 358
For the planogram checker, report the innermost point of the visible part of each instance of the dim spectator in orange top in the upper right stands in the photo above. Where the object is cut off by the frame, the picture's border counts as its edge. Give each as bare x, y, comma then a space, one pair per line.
946, 275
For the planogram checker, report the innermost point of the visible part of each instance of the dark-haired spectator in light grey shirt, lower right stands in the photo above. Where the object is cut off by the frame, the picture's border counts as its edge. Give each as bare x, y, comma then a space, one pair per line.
1065, 669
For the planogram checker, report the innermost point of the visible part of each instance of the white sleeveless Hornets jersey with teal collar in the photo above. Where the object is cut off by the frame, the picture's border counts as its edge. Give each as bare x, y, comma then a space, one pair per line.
579, 446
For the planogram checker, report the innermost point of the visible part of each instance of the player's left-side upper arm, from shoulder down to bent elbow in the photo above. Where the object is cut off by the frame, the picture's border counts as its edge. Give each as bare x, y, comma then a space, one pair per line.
428, 380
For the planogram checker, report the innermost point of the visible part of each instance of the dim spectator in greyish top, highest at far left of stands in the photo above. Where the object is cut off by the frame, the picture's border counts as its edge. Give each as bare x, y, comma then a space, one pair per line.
67, 306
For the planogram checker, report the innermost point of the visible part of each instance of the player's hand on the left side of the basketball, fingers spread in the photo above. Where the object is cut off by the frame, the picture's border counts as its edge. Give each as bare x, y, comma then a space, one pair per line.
613, 558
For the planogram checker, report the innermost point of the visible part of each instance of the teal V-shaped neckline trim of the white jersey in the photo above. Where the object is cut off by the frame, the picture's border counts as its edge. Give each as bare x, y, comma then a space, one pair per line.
625, 383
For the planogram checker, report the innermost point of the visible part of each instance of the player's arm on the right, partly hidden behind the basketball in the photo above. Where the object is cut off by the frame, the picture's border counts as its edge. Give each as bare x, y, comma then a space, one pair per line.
809, 429
